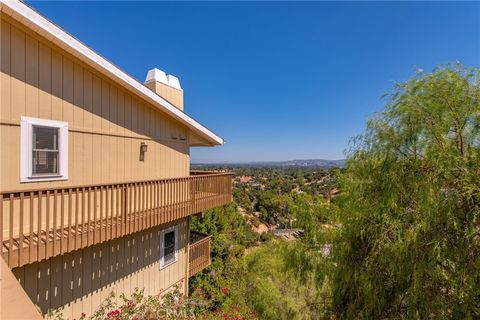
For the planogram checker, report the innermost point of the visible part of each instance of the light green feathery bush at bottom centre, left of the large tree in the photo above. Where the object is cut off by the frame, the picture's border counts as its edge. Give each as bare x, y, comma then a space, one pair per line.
264, 283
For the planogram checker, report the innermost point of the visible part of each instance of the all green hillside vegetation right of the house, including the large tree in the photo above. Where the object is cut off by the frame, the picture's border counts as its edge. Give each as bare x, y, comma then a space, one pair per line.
401, 238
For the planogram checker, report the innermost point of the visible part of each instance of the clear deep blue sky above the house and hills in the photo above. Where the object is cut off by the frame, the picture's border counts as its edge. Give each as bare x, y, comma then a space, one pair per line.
281, 80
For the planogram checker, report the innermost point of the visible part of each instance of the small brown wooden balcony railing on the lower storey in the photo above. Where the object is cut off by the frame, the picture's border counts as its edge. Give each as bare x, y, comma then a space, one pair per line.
199, 252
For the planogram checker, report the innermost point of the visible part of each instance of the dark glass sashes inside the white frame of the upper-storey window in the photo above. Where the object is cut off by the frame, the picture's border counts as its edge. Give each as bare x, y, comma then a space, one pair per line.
45, 151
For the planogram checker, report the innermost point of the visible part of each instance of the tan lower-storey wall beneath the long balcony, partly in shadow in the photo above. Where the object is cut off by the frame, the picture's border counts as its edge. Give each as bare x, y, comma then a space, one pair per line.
79, 281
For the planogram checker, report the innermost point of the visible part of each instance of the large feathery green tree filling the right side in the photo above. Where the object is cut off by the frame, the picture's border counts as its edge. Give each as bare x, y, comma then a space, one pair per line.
409, 242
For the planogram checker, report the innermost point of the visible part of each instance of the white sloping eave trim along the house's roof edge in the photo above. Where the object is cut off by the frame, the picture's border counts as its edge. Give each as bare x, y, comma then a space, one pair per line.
26, 15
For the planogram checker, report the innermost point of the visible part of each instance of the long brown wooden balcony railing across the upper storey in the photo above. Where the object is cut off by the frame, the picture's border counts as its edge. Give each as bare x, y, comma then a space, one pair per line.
39, 224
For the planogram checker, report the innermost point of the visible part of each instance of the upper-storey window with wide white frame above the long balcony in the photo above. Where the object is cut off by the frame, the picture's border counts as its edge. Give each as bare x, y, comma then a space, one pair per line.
43, 150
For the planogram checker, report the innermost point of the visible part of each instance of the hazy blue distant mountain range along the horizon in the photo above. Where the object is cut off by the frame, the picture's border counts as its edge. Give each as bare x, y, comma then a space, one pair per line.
289, 163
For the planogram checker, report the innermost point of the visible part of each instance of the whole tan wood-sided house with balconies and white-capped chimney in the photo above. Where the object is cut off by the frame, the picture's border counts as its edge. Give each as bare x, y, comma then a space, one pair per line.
95, 191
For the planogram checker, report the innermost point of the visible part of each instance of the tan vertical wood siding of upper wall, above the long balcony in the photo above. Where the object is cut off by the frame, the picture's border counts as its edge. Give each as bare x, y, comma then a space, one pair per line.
106, 123
